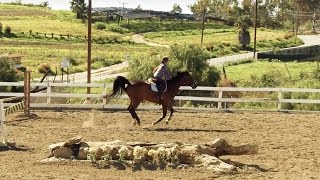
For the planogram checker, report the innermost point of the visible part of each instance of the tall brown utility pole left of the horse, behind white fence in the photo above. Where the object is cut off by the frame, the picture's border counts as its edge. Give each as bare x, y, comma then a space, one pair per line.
89, 46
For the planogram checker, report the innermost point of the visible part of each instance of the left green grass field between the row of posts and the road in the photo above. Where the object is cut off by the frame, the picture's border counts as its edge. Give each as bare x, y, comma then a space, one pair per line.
35, 53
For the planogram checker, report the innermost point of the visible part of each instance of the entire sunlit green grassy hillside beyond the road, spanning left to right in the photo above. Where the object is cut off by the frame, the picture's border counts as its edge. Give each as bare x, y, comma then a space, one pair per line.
42, 35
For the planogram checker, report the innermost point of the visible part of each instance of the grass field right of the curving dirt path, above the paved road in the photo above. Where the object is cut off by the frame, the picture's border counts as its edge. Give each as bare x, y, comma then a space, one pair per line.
218, 36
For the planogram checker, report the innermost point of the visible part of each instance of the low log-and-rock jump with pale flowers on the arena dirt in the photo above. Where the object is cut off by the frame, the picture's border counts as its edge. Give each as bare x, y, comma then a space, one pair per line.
191, 155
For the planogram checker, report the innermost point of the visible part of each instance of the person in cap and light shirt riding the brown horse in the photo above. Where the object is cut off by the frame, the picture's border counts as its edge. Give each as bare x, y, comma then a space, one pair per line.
161, 74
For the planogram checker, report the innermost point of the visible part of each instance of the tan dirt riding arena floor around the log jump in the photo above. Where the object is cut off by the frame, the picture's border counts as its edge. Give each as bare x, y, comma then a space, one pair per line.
288, 143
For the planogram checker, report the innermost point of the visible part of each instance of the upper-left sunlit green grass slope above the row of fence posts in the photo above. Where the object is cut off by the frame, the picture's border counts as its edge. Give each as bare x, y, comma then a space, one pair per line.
42, 20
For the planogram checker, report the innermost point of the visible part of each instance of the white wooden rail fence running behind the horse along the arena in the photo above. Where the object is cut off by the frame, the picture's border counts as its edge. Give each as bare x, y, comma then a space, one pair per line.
278, 99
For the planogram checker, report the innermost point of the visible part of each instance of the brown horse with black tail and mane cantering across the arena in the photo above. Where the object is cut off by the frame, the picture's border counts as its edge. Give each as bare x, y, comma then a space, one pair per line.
139, 91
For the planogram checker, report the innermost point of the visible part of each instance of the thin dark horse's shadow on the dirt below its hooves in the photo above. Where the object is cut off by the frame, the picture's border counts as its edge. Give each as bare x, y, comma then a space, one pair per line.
186, 129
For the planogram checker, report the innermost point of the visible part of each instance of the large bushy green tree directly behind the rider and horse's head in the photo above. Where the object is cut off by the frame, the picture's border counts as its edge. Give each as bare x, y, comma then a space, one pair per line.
191, 58
